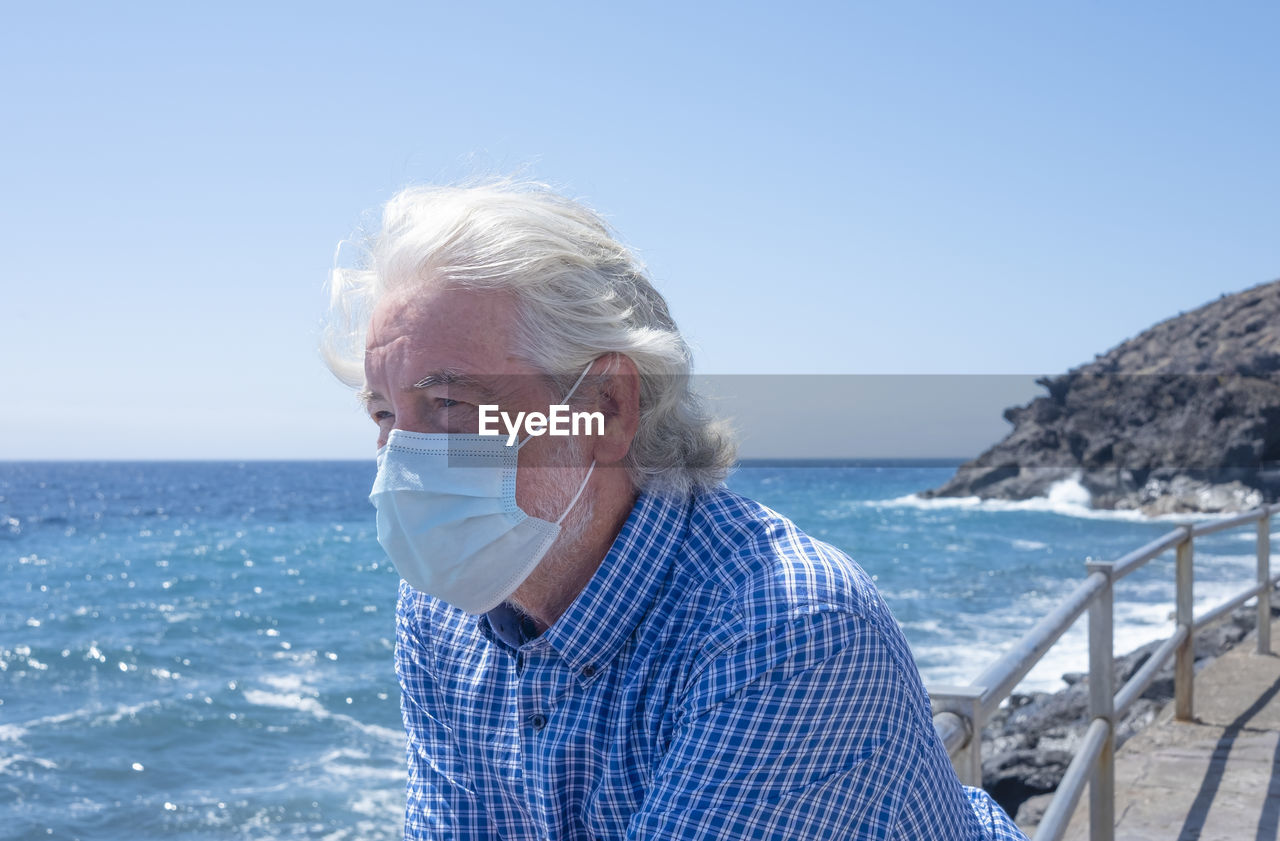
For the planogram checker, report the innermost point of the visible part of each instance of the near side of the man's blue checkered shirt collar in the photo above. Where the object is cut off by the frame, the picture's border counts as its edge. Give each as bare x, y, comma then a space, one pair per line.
592, 632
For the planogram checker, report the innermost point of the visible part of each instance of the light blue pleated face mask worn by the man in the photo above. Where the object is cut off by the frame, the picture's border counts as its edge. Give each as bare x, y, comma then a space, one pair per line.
449, 519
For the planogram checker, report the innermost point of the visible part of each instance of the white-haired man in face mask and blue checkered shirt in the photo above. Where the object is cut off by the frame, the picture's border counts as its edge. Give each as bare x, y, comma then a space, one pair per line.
596, 639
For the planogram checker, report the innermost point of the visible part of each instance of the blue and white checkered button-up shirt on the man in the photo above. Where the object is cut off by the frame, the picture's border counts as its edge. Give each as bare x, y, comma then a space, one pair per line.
723, 677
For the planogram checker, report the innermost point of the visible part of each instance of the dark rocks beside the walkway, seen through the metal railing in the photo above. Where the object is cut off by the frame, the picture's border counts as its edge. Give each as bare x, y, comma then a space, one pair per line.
1028, 744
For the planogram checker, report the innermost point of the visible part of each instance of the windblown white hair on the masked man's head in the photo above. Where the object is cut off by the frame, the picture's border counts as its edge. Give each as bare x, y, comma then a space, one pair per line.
580, 295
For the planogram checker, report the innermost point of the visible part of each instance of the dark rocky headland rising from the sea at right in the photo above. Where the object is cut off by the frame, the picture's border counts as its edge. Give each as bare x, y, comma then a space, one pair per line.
1186, 417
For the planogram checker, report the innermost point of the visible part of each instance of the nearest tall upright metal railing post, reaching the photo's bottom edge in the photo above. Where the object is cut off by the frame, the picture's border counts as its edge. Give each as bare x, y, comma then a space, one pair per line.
1103, 797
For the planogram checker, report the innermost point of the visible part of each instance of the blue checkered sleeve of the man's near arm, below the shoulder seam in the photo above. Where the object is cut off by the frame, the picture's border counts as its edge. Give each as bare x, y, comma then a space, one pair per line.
806, 729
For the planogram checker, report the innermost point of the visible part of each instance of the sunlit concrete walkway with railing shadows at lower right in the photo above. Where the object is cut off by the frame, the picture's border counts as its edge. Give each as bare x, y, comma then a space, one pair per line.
1217, 779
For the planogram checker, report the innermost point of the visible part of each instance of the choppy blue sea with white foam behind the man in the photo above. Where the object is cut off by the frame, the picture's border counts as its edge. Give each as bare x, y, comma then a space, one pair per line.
204, 651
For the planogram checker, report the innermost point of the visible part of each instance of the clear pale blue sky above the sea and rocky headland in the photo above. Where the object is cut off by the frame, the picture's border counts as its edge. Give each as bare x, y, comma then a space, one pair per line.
819, 189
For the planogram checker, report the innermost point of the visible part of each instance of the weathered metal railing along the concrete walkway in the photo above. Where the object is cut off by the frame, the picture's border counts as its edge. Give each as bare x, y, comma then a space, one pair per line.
963, 711
